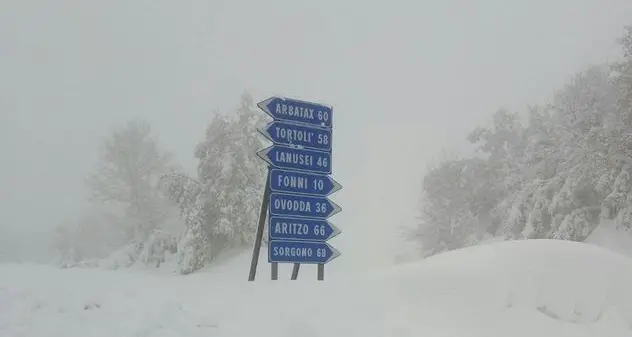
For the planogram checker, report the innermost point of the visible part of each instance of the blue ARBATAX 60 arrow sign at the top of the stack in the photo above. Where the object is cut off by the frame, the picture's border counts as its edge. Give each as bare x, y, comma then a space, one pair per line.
293, 110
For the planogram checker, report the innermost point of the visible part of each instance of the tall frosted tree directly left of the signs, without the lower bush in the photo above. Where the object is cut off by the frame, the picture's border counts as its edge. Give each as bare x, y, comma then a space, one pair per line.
233, 175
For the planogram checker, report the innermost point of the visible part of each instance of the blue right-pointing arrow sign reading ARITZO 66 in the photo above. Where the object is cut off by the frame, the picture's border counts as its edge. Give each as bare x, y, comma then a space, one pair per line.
301, 229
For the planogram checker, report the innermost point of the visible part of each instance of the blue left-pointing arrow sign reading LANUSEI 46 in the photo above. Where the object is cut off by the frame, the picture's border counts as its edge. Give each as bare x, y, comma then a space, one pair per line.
285, 157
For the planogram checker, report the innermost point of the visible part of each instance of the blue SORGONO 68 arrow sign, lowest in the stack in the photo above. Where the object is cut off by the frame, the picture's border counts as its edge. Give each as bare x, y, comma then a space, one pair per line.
301, 252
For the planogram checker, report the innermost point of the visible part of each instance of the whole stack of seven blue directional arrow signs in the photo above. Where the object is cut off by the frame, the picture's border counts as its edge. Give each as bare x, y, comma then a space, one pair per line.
298, 186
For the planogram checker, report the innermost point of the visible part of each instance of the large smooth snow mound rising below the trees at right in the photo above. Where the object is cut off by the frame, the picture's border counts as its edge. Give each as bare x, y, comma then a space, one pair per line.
519, 288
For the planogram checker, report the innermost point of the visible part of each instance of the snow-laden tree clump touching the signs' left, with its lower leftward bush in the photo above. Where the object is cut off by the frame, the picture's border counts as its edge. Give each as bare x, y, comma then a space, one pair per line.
221, 205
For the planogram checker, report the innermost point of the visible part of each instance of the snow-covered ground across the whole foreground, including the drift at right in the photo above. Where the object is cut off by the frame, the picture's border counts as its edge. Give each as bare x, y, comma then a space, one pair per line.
530, 288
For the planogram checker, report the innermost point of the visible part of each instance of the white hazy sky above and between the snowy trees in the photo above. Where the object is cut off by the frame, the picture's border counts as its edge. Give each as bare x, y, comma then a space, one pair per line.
405, 79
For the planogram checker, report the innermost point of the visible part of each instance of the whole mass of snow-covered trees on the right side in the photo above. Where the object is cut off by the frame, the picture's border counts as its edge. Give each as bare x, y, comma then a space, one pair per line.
555, 176
